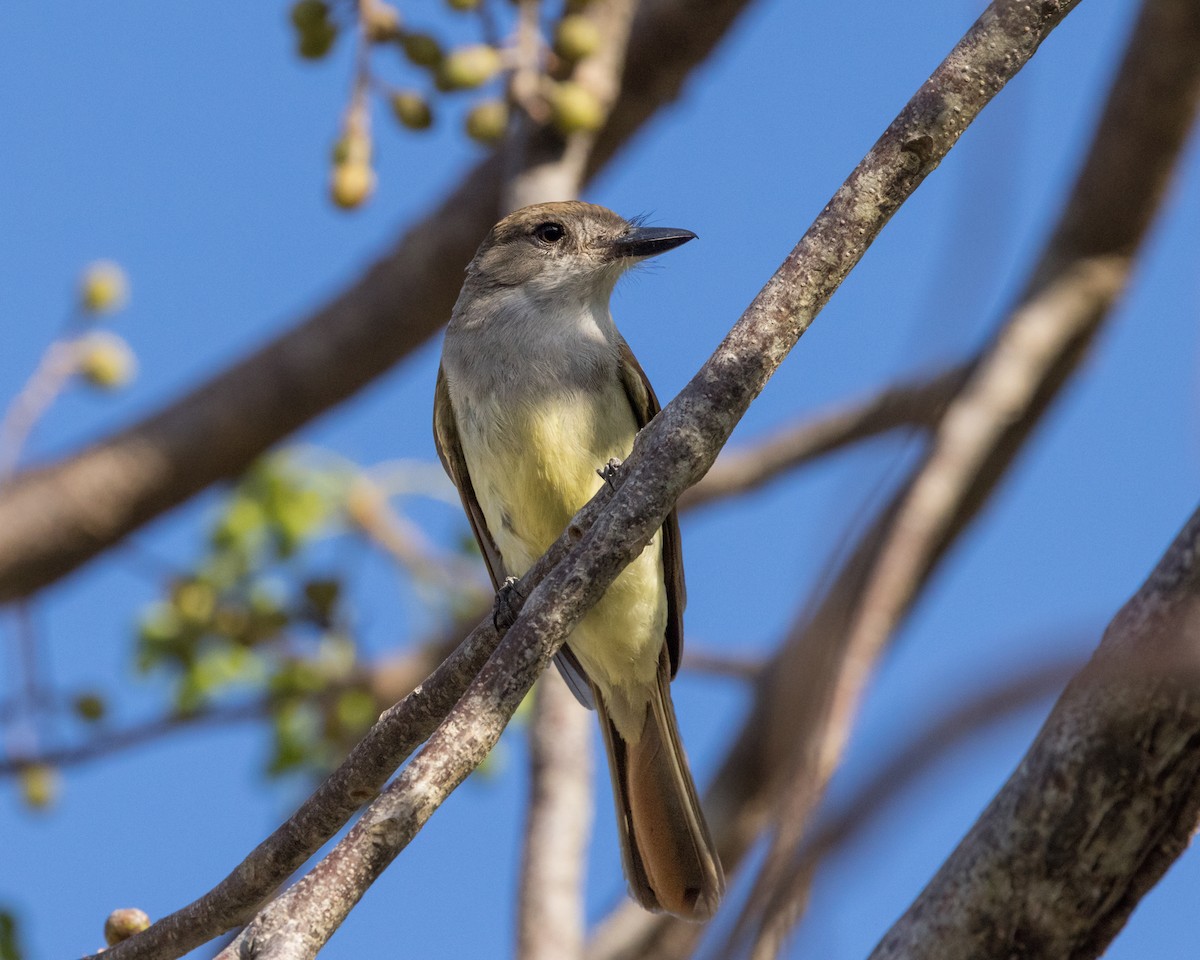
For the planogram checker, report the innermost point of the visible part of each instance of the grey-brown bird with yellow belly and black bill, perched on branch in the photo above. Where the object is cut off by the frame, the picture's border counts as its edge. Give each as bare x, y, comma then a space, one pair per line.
538, 392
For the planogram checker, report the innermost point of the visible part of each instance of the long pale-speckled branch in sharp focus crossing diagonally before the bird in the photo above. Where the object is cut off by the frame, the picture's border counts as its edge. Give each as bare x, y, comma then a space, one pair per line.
674, 452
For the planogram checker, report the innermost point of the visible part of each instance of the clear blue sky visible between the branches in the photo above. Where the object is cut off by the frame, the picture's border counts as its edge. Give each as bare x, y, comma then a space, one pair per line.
187, 142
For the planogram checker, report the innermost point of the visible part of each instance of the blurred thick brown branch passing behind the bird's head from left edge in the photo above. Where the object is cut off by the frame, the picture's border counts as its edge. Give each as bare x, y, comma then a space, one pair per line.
57, 518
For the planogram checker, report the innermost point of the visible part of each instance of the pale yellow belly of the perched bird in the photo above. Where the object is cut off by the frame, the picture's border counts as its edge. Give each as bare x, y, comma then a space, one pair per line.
532, 472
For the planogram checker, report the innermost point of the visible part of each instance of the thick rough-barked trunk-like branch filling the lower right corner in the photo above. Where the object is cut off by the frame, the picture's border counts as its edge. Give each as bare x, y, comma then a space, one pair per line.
1100, 808
